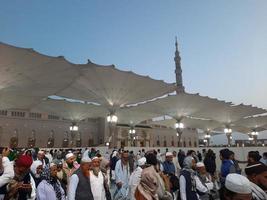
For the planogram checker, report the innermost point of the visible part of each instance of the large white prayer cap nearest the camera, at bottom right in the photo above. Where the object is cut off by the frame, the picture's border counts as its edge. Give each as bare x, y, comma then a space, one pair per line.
238, 184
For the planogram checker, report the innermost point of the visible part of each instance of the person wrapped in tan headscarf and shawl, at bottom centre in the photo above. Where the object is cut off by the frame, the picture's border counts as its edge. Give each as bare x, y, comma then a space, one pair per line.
147, 188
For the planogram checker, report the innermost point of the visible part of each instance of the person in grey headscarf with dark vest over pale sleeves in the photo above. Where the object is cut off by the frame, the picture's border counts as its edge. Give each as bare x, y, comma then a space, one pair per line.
188, 188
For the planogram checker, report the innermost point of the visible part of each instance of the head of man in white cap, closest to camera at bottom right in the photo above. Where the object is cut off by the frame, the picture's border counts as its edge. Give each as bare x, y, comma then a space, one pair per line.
237, 187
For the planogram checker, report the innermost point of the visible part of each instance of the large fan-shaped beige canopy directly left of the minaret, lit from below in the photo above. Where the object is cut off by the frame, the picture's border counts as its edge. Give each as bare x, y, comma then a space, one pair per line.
113, 88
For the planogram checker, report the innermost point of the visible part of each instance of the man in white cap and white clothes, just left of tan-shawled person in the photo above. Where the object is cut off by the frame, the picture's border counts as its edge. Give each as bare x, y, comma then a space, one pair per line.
136, 177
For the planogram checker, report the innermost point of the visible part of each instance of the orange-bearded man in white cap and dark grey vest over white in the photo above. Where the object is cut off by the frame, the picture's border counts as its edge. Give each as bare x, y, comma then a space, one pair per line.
79, 184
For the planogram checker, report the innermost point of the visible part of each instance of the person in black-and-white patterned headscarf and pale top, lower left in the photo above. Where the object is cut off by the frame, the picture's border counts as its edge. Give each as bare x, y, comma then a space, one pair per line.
50, 187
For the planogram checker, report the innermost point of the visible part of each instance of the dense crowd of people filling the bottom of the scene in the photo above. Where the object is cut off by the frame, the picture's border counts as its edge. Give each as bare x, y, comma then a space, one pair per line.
86, 174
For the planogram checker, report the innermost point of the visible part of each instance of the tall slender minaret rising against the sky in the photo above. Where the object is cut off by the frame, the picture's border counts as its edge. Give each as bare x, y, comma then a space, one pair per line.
178, 70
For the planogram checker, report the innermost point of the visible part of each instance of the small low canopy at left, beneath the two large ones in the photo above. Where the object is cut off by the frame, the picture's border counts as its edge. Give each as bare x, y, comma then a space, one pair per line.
70, 110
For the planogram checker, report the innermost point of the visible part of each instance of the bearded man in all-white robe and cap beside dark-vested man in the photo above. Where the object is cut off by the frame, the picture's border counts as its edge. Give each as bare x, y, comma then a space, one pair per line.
99, 183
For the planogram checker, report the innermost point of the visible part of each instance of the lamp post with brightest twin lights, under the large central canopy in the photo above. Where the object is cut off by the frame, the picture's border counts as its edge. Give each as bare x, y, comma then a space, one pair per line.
112, 120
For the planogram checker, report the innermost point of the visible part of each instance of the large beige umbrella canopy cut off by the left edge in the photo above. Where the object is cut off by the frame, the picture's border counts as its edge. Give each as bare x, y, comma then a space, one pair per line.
32, 76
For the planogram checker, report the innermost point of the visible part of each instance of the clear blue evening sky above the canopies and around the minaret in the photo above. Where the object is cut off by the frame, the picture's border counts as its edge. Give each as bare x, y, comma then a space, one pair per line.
223, 44
